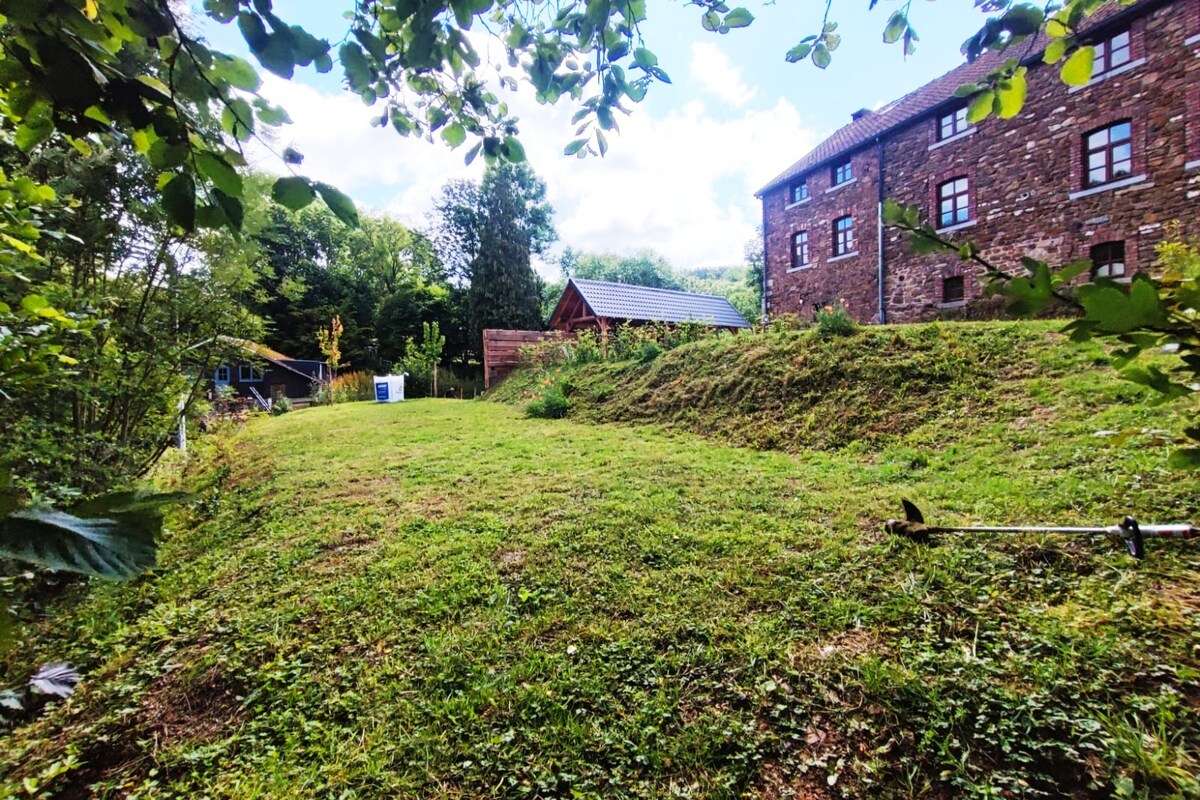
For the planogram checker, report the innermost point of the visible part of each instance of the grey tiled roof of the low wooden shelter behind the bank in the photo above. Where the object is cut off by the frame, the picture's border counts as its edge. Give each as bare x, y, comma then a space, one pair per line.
626, 302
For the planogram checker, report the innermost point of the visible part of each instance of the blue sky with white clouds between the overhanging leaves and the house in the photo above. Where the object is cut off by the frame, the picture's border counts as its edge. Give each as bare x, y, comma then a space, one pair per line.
681, 178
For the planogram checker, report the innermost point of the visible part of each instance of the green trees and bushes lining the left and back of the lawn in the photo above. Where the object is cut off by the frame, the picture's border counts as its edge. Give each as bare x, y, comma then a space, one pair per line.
113, 318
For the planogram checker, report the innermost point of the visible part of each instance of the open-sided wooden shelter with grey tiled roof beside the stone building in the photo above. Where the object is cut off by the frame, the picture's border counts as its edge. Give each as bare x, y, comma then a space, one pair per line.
599, 305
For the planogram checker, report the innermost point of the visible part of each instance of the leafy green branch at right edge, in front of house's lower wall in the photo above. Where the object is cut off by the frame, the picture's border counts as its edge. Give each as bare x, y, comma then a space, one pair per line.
1156, 314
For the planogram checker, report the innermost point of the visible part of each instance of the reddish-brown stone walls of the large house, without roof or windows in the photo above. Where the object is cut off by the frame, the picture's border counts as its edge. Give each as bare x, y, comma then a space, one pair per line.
1027, 184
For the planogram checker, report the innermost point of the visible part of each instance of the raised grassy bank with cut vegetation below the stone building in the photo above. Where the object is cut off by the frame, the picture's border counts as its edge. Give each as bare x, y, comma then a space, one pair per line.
793, 392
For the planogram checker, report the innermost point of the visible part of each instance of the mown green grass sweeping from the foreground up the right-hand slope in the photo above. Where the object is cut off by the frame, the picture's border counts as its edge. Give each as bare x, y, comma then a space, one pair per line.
446, 599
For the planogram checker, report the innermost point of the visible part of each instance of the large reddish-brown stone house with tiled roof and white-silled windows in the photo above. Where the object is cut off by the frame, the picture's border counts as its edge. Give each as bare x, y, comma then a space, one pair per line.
1096, 172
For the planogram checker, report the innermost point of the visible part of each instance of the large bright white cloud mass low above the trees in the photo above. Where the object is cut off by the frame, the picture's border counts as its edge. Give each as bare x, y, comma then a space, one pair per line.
681, 183
